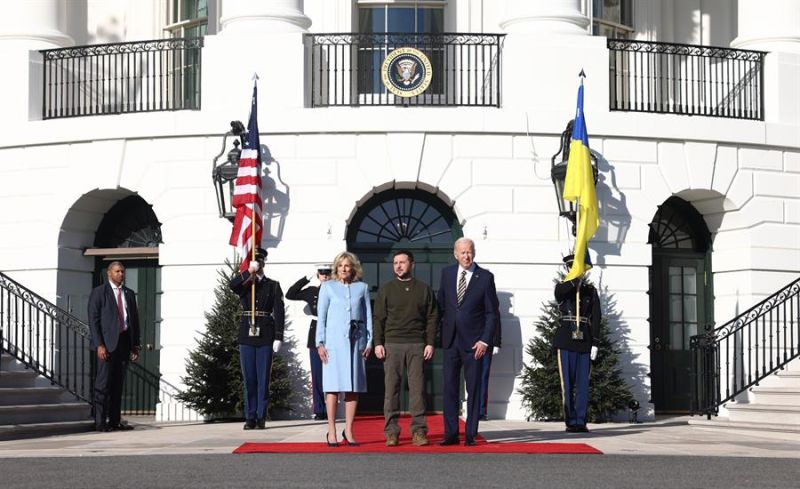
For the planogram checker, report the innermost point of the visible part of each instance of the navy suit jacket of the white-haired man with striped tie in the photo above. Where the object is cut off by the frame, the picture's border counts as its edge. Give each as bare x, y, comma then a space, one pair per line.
475, 319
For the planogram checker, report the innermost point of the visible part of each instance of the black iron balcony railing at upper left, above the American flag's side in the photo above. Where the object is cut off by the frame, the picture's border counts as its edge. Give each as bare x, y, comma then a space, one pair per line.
124, 77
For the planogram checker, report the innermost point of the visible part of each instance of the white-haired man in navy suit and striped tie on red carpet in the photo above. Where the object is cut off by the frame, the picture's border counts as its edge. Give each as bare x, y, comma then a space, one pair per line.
468, 310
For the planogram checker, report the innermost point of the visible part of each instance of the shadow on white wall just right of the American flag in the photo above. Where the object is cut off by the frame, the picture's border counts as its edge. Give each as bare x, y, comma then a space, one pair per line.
276, 200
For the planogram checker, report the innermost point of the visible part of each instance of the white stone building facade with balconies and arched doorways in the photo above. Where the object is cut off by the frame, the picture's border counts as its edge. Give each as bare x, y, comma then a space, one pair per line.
709, 147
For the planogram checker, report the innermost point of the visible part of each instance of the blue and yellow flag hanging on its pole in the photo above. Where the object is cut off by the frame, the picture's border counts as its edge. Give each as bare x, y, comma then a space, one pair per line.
579, 188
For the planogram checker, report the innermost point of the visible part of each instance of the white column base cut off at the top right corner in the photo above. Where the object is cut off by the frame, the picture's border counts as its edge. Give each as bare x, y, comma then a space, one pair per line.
769, 26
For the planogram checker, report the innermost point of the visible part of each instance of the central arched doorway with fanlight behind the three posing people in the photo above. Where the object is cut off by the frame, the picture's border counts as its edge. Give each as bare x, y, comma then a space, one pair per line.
410, 219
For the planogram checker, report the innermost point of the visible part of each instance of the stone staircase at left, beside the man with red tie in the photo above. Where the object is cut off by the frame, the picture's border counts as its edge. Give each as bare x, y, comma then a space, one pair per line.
31, 406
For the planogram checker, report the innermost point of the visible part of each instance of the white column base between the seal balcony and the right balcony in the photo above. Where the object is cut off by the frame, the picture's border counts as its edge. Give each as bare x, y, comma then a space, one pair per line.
545, 17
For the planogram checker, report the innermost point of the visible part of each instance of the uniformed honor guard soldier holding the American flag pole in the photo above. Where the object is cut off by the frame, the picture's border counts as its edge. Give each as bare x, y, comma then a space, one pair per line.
260, 336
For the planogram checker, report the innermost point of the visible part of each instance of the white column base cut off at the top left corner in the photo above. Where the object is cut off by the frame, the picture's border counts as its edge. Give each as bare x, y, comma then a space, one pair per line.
33, 24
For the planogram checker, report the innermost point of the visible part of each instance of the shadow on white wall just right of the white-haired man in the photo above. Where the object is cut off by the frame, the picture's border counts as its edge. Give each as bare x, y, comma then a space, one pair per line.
501, 385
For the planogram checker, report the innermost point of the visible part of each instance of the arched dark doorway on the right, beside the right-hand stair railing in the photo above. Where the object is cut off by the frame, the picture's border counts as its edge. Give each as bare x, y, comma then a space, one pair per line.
681, 299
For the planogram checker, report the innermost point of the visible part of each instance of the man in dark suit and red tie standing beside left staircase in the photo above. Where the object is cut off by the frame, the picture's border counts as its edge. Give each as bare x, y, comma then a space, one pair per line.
114, 325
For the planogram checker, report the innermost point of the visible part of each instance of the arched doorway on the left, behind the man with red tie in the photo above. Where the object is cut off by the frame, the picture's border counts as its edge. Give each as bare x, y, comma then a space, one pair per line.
130, 232
